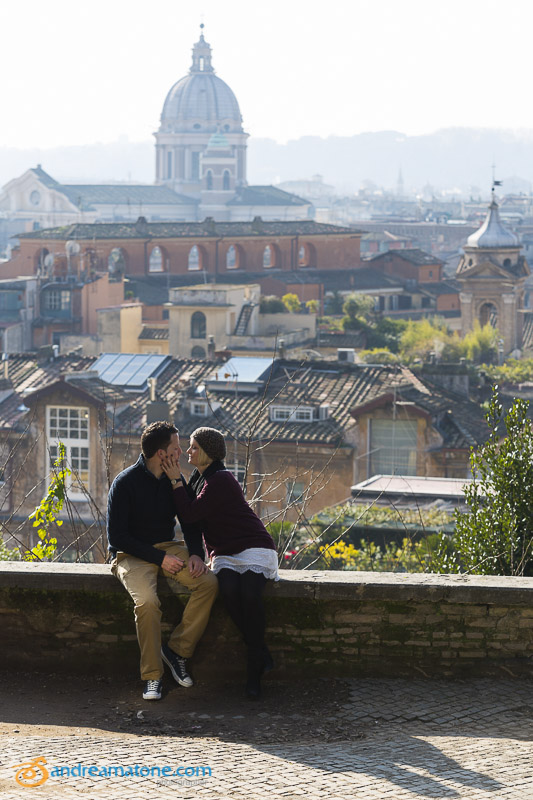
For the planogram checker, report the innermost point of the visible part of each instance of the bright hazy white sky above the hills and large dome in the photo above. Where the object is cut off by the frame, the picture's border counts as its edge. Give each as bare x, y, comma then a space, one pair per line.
77, 72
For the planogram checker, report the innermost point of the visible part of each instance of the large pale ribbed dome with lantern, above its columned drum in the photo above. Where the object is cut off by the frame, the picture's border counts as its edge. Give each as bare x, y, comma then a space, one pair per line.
201, 101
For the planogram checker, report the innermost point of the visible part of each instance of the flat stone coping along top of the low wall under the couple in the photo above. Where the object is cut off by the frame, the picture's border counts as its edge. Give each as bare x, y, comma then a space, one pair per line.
316, 584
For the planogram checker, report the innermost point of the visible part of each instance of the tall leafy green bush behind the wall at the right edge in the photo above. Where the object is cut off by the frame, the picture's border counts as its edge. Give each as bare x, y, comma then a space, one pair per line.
495, 535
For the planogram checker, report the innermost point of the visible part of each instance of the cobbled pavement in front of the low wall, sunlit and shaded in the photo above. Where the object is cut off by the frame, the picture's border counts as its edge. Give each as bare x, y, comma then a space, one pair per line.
364, 739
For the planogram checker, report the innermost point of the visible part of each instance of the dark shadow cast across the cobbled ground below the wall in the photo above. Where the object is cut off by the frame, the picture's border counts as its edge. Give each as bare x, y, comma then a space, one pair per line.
392, 730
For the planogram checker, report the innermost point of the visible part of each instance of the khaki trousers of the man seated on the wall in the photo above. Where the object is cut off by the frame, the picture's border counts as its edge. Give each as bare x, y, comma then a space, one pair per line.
140, 579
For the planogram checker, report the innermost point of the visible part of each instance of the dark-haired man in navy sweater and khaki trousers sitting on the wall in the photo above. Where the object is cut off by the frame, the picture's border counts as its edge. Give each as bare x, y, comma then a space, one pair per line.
140, 527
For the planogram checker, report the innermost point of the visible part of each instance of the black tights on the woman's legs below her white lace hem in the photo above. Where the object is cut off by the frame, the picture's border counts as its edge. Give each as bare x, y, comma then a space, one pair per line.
243, 597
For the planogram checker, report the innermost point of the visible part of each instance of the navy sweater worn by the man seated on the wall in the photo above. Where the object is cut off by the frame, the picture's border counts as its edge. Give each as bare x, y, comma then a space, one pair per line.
141, 513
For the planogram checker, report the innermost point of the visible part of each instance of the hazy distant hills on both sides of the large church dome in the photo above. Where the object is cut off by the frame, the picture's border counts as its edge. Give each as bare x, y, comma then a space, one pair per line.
446, 159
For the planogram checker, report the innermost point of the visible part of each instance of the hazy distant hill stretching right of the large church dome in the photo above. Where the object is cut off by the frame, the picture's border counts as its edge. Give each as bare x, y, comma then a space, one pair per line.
449, 158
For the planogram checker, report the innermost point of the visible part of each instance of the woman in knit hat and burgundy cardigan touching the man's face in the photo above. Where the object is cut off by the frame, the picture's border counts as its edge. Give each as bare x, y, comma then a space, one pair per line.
242, 552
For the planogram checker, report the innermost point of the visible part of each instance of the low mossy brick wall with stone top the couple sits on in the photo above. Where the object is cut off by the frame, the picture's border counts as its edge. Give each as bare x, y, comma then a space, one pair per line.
79, 618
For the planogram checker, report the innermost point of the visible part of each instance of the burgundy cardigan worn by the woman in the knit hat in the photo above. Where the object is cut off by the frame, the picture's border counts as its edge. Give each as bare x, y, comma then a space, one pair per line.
215, 500
